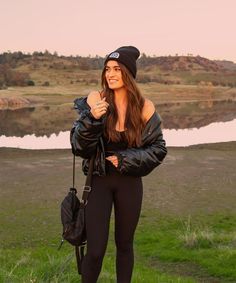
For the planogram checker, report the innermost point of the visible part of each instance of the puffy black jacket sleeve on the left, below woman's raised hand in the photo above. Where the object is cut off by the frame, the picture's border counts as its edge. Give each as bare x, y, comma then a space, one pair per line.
85, 134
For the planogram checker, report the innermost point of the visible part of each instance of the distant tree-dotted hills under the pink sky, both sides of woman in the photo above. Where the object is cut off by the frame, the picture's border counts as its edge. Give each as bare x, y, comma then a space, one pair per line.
45, 69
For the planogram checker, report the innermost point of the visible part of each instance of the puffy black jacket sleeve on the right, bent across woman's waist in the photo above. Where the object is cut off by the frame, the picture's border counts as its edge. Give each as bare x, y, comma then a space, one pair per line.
141, 161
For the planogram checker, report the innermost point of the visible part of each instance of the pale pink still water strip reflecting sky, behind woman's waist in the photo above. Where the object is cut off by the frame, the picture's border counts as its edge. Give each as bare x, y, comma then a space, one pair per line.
212, 133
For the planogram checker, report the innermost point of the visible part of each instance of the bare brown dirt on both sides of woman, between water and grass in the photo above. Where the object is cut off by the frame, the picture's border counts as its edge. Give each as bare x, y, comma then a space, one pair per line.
196, 179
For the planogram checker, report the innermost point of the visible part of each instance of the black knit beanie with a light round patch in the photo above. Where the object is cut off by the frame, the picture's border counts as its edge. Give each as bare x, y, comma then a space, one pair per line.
126, 55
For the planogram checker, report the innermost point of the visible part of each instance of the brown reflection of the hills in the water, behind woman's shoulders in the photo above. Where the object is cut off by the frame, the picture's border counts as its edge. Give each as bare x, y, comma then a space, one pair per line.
47, 120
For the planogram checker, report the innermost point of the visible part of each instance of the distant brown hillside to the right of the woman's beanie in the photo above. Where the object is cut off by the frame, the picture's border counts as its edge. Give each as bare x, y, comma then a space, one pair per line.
186, 70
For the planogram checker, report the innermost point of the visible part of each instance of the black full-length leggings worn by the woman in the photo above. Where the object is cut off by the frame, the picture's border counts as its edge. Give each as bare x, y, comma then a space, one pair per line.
126, 194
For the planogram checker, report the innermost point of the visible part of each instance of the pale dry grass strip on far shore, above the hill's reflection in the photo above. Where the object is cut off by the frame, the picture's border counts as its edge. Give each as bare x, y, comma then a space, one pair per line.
158, 93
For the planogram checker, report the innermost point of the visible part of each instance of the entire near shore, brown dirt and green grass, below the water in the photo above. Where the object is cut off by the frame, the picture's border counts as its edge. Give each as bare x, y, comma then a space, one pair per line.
186, 231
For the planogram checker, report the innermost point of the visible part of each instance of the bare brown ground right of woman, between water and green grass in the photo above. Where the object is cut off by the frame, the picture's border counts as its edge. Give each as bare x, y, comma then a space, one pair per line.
197, 179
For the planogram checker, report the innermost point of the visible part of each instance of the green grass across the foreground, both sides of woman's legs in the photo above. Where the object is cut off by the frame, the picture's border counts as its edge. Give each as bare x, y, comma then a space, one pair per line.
165, 247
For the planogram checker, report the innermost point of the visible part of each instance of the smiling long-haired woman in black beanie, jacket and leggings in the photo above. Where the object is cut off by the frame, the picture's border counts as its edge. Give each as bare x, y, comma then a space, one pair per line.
123, 131
